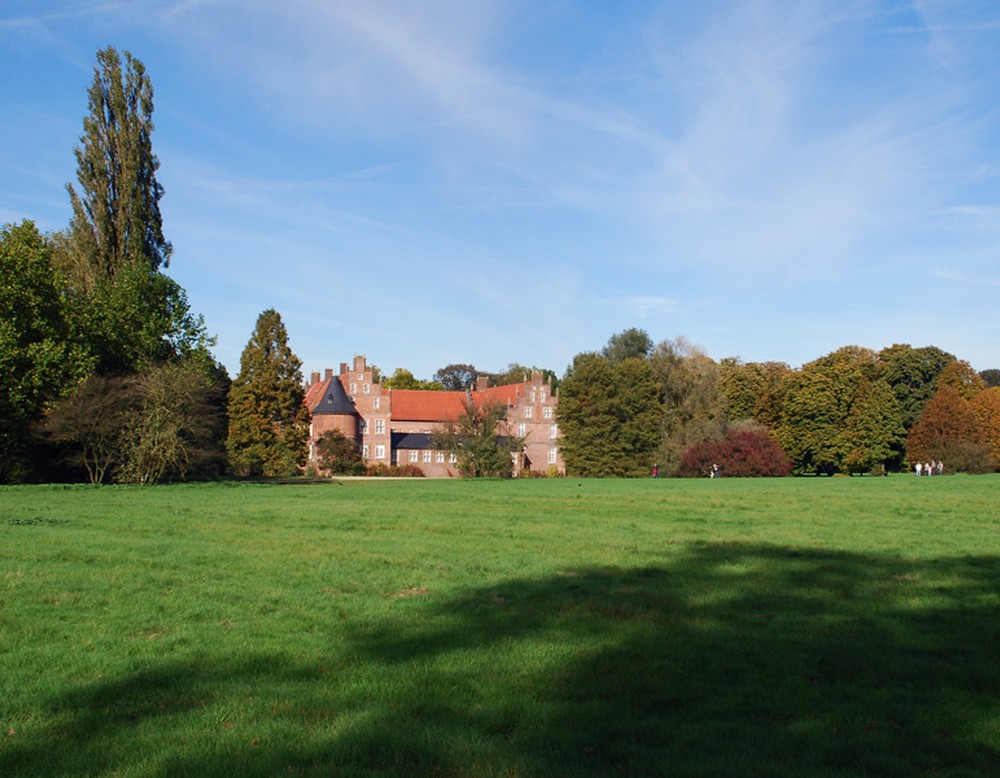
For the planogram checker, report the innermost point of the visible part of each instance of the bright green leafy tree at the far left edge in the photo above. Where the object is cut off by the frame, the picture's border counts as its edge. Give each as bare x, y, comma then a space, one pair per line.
38, 359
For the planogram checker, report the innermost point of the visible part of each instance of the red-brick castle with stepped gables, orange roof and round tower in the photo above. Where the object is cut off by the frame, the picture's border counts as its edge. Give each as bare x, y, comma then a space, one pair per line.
394, 426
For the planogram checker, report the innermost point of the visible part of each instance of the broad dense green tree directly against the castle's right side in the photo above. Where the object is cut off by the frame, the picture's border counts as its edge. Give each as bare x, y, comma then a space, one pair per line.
609, 416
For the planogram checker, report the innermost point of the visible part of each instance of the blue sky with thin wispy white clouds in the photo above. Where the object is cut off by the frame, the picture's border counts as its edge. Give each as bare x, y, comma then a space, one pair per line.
490, 182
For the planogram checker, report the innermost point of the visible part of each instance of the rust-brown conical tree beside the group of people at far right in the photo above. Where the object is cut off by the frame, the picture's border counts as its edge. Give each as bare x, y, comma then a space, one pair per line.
949, 431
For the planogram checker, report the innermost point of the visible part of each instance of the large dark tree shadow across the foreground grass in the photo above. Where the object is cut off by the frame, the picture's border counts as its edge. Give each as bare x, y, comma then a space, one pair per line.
721, 660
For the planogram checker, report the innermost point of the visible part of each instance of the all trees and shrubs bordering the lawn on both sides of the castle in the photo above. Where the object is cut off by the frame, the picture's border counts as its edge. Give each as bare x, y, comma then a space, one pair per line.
107, 375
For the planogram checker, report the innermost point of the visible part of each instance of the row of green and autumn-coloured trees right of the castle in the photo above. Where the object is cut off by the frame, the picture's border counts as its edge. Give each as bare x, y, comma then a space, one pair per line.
635, 405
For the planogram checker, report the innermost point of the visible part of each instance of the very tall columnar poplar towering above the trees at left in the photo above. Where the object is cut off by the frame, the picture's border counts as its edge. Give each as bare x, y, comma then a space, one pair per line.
128, 313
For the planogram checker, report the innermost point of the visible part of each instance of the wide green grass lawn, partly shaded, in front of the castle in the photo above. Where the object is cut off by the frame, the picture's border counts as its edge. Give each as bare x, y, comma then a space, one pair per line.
790, 627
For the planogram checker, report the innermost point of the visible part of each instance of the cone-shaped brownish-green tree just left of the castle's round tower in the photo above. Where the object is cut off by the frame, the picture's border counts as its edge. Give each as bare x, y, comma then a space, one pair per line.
268, 420
